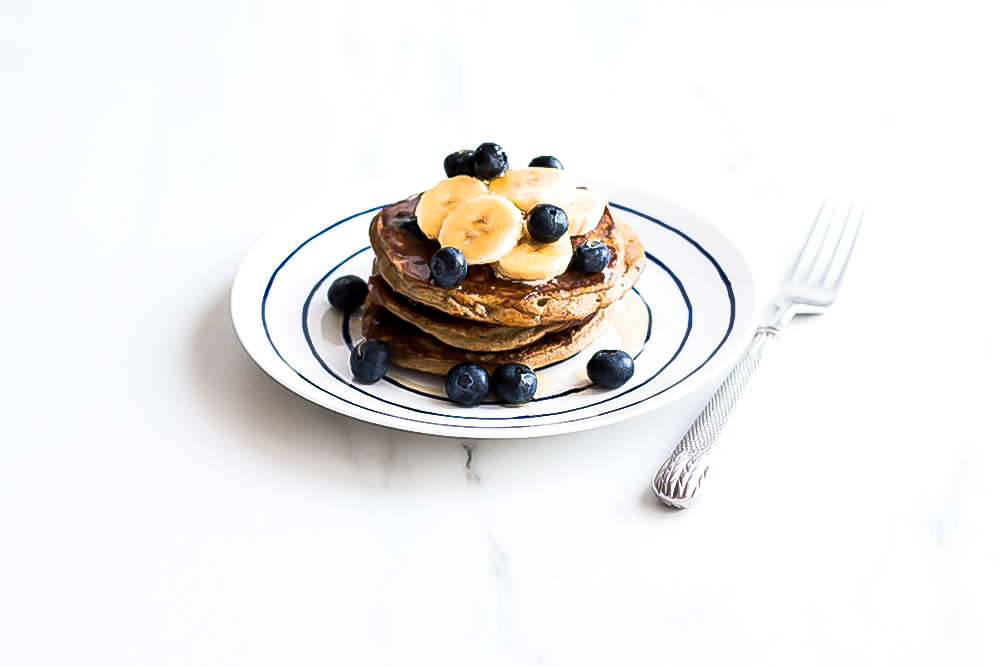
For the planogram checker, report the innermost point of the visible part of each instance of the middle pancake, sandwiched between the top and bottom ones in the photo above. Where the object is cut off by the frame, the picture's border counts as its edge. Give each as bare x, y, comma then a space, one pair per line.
455, 331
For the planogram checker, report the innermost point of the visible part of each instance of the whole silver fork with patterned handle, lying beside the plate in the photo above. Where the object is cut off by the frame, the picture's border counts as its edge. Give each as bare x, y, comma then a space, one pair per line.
809, 289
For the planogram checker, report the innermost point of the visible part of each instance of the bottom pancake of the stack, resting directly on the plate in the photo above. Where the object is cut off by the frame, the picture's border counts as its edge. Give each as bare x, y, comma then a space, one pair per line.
412, 348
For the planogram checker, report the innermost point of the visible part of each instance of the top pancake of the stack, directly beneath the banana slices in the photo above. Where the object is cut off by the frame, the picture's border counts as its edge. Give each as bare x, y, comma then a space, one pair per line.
404, 255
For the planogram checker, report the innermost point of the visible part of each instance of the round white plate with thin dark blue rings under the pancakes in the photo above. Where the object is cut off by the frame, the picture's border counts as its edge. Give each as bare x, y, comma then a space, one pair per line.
688, 317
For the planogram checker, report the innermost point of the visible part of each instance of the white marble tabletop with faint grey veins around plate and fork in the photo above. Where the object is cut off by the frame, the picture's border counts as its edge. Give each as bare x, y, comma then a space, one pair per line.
163, 502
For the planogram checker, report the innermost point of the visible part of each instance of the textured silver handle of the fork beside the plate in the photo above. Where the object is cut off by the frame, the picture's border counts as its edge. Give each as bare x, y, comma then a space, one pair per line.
687, 469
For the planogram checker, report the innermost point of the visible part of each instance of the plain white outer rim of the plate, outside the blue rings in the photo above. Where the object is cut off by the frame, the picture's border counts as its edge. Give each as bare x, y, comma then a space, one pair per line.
270, 361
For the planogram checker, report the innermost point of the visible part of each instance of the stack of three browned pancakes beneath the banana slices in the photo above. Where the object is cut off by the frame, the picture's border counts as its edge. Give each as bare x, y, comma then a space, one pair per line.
486, 319
